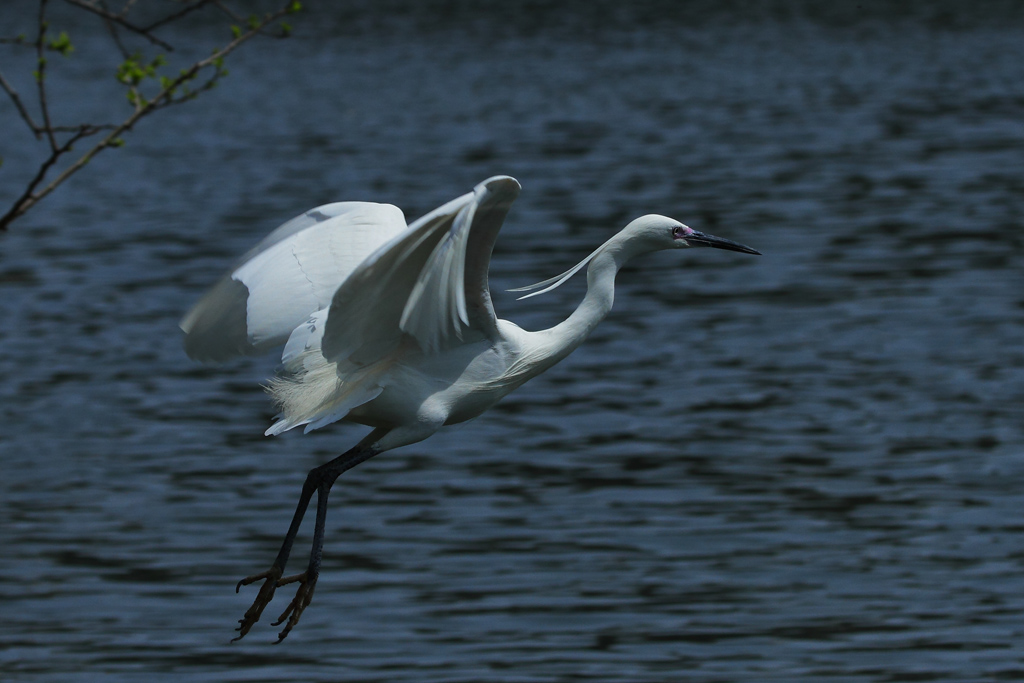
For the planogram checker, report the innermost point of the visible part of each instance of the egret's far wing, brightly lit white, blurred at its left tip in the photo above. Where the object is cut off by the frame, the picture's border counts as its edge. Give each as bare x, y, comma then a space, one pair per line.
286, 278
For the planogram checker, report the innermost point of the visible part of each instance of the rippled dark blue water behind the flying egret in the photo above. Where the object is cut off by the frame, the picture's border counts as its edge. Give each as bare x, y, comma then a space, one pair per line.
805, 466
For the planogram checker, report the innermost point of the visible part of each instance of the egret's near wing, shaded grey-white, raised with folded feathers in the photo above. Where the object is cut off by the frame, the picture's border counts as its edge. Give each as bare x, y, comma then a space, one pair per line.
430, 284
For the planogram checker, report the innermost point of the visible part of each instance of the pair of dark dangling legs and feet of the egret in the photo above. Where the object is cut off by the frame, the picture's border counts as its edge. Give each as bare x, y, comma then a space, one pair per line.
319, 480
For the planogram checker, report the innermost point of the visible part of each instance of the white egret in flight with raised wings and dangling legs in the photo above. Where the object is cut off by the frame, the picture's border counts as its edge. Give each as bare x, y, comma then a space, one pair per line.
392, 326
